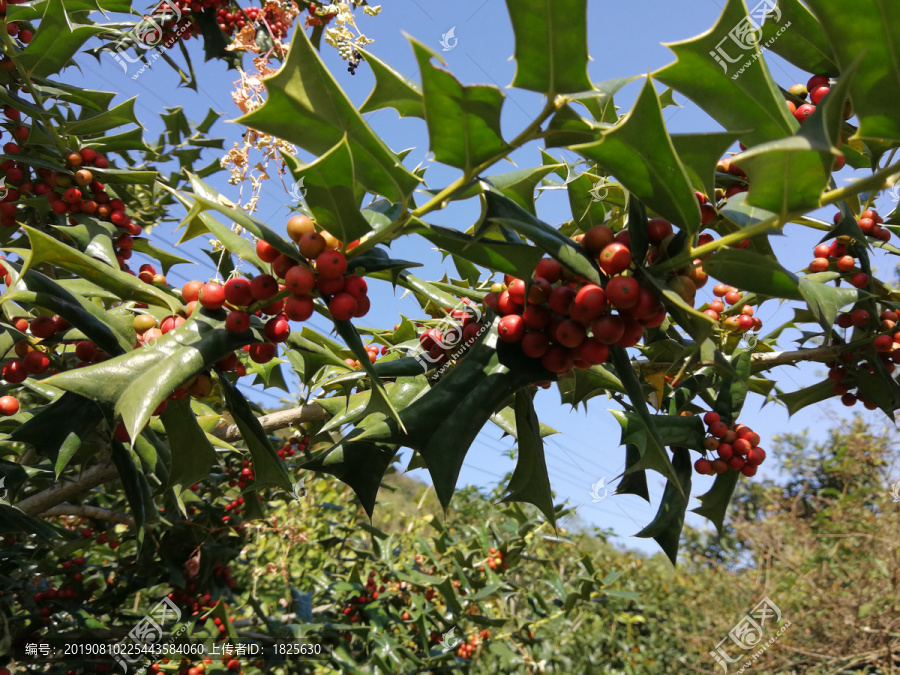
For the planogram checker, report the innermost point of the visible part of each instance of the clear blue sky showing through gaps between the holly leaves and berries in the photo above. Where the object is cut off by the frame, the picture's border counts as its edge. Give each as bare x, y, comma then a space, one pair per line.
624, 39
